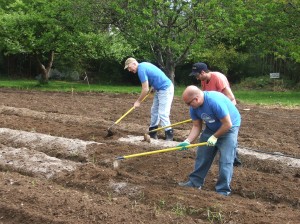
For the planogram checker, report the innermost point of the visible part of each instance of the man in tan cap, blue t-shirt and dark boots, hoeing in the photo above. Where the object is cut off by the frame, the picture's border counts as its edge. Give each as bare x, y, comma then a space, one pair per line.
151, 75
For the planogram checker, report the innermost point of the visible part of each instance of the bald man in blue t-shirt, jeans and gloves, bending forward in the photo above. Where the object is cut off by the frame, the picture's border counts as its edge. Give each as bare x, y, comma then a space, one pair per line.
222, 123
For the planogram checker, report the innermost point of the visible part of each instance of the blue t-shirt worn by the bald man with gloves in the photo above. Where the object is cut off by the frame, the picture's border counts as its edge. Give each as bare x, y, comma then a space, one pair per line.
215, 107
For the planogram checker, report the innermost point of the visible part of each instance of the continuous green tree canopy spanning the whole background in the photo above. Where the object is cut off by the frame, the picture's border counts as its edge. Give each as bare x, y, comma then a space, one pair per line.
234, 36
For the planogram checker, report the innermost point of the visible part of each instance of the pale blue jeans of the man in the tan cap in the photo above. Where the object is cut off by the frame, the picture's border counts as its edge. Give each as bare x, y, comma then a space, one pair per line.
161, 107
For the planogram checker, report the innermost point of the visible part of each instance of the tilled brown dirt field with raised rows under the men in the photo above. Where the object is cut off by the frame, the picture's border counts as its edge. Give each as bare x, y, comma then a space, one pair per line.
56, 164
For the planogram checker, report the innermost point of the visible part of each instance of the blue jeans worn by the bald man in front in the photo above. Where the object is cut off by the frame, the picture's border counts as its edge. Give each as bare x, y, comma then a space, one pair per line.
226, 146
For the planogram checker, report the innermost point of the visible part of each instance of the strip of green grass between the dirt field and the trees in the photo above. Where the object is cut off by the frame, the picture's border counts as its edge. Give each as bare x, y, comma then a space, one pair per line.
286, 98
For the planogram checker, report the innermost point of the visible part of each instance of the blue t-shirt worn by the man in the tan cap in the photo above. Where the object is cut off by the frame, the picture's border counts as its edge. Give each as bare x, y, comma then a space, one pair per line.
156, 77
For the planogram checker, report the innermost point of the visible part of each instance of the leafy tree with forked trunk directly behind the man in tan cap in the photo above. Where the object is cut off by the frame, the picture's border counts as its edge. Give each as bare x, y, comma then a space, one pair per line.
171, 29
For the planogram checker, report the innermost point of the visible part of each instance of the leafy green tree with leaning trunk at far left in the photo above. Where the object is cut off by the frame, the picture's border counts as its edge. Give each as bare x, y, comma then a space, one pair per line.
44, 29
